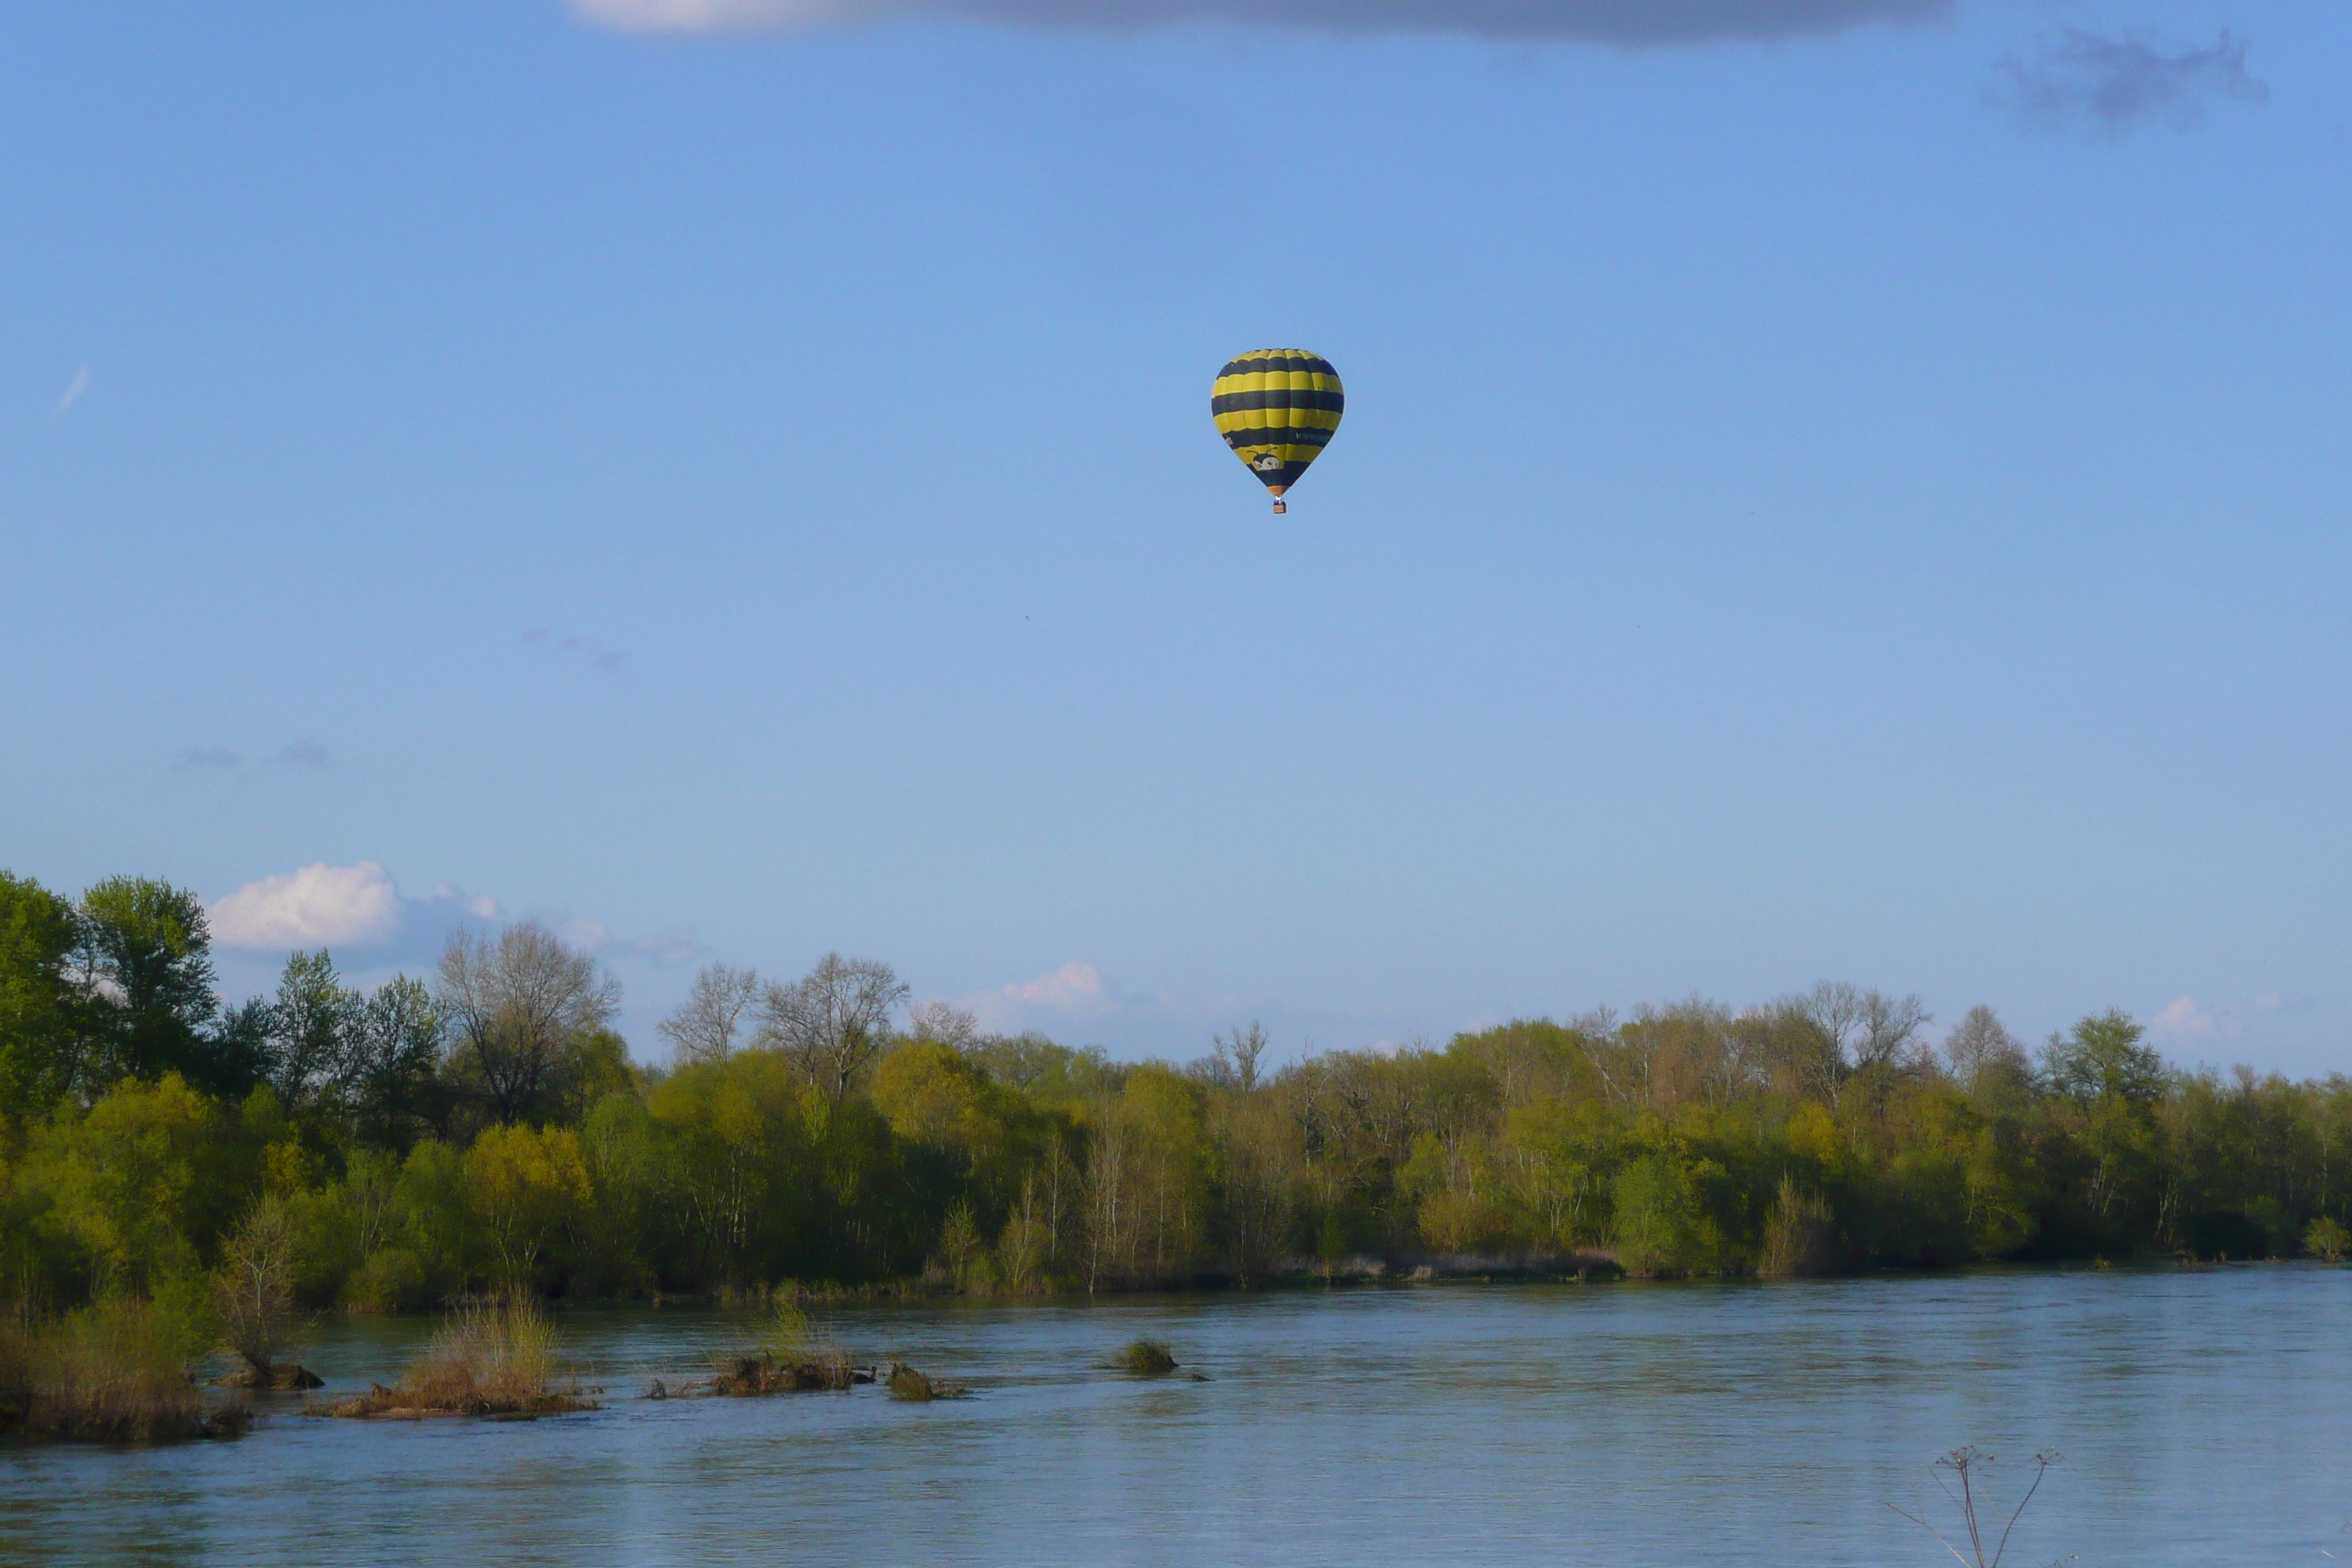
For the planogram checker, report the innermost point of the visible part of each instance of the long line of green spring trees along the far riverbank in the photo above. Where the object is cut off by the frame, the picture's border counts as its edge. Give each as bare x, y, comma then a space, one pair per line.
486, 1130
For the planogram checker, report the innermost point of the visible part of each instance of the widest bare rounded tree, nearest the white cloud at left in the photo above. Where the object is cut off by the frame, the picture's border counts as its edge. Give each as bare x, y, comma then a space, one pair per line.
514, 1007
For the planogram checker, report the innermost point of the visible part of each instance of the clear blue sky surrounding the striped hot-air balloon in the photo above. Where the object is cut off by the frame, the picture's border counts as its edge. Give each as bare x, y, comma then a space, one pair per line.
735, 478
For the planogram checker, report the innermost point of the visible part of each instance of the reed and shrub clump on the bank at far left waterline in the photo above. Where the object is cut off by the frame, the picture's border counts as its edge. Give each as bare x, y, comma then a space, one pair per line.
109, 1374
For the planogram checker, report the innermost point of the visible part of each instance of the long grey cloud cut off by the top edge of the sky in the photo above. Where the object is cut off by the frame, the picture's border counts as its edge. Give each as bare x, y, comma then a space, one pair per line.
1615, 22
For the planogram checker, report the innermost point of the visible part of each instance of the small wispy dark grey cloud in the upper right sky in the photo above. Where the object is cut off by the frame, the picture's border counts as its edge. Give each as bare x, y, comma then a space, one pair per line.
2123, 81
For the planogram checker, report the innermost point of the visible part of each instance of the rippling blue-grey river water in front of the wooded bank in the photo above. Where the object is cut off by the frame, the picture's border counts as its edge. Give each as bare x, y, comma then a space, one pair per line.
2203, 1419
